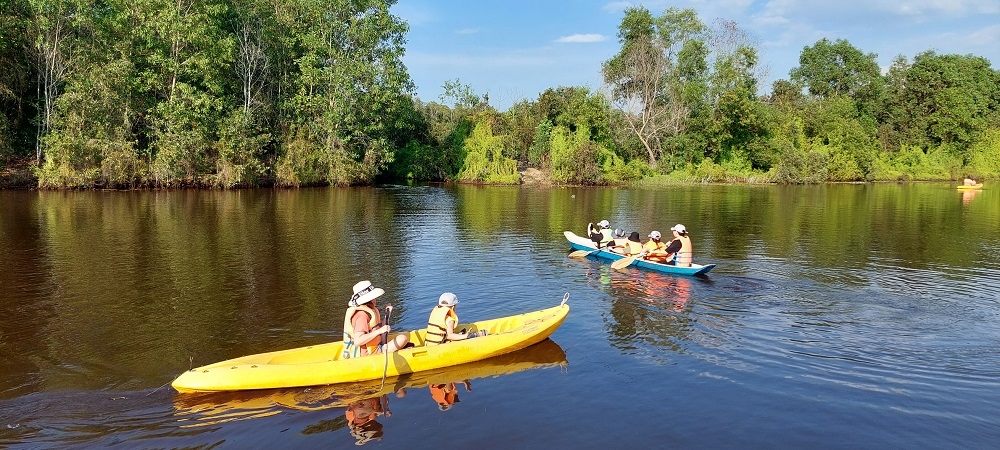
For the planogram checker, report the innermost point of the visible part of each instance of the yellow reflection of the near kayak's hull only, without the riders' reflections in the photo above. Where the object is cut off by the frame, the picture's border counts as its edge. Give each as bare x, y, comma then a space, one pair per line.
210, 408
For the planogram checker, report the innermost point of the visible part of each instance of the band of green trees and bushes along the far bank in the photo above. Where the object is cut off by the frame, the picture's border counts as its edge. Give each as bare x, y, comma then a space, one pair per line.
221, 94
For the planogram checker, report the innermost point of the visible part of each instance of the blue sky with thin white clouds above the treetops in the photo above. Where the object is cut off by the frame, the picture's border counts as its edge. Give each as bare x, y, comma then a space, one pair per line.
514, 50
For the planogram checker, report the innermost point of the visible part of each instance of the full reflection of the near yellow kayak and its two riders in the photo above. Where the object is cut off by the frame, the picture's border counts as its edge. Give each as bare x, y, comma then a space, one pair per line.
363, 402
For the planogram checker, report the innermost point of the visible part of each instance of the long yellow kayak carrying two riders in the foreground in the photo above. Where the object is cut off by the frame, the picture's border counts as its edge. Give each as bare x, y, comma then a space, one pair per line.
322, 364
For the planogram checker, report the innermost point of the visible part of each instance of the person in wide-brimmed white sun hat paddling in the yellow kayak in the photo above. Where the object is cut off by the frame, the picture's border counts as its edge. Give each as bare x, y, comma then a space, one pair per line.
363, 326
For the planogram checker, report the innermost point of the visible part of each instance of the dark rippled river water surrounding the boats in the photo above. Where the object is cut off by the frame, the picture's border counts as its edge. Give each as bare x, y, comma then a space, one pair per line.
842, 316
